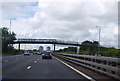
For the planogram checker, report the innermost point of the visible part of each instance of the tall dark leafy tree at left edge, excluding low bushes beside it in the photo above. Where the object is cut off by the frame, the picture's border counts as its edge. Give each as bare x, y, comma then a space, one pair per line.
7, 38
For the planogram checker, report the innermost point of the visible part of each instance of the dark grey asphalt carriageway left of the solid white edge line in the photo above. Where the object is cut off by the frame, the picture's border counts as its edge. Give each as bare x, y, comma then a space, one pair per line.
34, 67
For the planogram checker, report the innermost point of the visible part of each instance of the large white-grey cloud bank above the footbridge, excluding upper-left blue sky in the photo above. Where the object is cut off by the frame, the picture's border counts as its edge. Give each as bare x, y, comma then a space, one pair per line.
69, 21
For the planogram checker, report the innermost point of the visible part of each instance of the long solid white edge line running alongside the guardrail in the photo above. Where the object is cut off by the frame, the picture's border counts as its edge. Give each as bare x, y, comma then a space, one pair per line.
86, 76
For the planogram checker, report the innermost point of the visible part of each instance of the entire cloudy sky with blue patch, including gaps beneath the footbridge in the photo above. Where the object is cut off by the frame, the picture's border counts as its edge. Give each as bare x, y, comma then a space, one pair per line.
73, 20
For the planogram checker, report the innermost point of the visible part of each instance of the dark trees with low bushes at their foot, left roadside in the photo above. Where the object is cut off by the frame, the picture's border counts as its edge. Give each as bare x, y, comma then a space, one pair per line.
7, 38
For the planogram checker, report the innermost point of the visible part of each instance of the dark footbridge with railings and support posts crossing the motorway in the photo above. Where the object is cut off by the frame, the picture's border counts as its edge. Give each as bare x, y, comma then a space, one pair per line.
44, 41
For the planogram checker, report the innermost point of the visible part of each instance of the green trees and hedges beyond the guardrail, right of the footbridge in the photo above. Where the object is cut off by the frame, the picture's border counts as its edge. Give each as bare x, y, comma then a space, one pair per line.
91, 48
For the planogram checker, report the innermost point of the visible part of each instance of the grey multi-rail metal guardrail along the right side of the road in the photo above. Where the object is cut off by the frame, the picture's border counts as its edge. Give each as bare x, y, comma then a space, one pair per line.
105, 65
